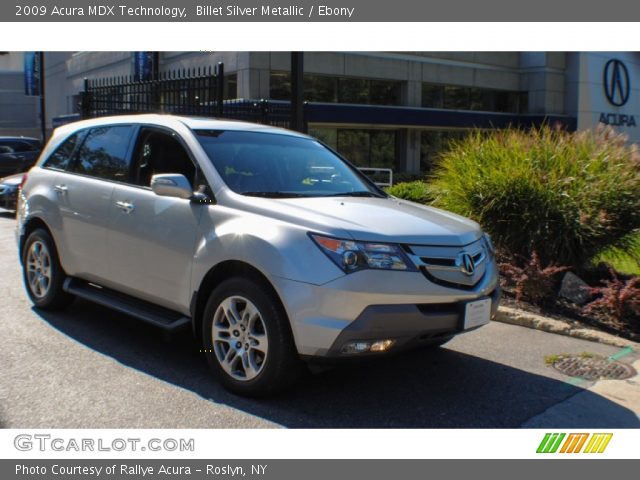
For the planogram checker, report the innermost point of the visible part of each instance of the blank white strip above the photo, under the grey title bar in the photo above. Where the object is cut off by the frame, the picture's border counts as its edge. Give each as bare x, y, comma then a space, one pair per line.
334, 36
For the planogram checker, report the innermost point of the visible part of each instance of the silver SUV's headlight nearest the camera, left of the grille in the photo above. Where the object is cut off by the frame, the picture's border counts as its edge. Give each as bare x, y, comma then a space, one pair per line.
351, 256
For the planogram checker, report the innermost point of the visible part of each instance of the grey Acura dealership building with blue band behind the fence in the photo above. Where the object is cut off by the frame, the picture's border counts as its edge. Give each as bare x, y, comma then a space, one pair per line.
397, 109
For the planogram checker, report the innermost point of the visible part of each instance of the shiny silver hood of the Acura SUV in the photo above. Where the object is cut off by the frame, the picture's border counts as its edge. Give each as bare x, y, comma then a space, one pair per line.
373, 219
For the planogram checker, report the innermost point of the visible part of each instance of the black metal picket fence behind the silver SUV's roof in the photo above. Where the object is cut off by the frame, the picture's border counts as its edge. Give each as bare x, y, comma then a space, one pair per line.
196, 92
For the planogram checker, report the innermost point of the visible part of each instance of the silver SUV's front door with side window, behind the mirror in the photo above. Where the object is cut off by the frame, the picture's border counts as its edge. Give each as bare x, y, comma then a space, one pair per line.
151, 239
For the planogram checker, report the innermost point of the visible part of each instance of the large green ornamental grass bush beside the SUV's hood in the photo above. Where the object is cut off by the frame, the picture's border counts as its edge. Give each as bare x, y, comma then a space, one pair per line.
568, 196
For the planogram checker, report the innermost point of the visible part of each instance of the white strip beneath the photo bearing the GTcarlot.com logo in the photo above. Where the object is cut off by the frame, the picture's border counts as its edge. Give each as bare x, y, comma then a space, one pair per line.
331, 444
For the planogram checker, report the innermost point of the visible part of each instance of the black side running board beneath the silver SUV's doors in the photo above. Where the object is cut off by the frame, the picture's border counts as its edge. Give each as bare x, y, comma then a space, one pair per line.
145, 311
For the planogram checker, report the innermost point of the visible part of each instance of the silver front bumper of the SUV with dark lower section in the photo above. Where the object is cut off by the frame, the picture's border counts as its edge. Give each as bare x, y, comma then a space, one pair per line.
373, 305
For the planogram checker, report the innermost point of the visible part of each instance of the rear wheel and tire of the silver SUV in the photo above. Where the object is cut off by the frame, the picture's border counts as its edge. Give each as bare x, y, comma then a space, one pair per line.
42, 273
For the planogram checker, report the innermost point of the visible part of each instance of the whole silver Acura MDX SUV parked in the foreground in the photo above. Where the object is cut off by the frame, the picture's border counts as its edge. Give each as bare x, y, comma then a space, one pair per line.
272, 247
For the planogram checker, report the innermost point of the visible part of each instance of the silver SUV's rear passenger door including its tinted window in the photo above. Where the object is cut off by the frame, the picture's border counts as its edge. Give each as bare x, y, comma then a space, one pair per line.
84, 191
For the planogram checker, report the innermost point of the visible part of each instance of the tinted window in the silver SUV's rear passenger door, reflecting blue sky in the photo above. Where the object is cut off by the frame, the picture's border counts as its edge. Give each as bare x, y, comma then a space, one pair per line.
103, 153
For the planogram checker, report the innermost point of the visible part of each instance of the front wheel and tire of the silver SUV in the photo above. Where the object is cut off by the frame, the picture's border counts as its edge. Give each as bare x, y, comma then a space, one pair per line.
247, 339
